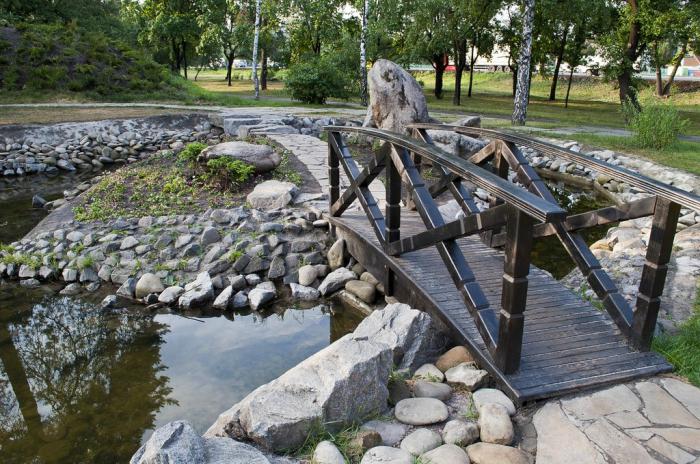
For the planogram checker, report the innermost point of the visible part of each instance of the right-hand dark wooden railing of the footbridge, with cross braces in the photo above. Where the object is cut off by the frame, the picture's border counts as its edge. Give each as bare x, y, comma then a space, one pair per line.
502, 154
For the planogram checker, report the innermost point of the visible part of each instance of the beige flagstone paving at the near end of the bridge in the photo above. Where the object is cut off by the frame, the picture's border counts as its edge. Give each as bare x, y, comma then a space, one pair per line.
651, 421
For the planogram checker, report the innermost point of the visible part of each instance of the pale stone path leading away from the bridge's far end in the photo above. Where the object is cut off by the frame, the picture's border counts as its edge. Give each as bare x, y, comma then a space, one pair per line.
313, 152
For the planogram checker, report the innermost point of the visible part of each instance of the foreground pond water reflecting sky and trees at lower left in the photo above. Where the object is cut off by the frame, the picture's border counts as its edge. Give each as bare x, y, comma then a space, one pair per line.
81, 384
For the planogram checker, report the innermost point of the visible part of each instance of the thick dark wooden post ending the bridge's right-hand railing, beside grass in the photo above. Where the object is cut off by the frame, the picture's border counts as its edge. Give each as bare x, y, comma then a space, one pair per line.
663, 229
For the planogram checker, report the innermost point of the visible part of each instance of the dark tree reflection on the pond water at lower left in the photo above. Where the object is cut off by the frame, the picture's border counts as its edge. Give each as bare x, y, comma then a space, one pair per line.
77, 384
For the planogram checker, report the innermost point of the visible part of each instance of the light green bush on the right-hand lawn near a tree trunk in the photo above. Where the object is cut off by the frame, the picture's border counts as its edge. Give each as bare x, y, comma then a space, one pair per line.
657, 125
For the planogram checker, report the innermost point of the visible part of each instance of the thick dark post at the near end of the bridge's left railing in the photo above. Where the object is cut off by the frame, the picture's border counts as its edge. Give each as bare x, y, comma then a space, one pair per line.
515, 270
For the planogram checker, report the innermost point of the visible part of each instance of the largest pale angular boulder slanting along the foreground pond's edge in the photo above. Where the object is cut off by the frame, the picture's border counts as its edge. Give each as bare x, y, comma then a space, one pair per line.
339, 385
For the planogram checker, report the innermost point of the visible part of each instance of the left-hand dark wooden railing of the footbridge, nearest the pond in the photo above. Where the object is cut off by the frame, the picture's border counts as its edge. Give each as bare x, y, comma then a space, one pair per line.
518, 213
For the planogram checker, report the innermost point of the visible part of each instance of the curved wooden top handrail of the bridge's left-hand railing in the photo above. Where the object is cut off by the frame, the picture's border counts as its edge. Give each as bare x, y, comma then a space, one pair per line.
524, 201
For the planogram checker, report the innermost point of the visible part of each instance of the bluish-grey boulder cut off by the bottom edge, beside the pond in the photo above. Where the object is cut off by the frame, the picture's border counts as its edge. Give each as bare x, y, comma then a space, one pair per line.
177, 443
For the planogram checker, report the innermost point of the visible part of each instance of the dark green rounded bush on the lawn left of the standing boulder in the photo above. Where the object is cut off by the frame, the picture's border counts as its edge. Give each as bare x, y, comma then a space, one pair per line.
316, 79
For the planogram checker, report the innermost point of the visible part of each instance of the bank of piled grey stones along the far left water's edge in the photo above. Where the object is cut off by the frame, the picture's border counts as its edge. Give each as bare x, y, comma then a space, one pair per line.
82, 146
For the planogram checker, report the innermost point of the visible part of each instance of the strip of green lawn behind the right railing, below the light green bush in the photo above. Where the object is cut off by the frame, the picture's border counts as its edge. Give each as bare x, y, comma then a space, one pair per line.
682, 154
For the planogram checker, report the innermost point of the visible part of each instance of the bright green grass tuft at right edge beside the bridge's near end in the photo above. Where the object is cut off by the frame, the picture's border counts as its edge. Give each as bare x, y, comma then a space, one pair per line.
683, 349
